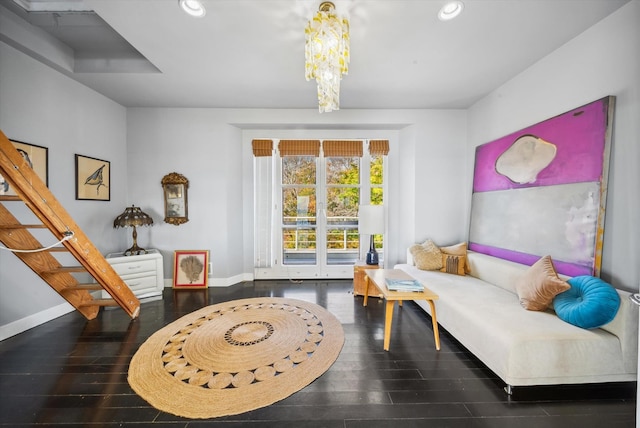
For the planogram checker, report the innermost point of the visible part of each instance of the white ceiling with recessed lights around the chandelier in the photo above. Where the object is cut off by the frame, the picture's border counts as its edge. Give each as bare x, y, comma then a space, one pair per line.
250, 53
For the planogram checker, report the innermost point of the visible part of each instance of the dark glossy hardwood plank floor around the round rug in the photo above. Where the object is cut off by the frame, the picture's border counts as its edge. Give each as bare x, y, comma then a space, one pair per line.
74, 372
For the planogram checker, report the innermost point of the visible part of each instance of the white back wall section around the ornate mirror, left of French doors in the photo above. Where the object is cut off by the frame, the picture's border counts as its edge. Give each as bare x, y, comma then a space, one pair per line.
202, 146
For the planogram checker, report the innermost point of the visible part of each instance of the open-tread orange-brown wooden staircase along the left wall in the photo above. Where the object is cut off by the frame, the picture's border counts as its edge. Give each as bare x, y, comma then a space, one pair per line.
30, 190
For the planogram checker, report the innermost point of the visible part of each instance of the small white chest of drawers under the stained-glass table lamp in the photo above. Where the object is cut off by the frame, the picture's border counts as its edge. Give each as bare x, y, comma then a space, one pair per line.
143, 273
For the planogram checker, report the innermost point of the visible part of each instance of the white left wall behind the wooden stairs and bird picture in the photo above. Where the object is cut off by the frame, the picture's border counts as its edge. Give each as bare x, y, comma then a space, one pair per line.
43, 107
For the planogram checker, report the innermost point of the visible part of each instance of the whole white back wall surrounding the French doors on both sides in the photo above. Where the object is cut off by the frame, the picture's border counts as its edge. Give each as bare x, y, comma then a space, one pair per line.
212, 148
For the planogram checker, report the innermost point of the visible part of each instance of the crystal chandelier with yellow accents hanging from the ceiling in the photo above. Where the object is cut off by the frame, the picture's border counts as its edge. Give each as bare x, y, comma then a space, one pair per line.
327, 54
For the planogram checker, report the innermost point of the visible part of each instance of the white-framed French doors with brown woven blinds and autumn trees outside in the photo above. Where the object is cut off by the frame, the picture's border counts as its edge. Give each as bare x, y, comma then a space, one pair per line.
312, 226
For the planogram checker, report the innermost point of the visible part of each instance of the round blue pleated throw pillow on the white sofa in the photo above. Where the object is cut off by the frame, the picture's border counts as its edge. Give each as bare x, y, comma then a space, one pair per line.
589, 303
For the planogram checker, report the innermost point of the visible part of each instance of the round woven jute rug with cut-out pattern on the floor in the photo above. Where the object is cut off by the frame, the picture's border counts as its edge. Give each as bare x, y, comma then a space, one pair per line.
237, 356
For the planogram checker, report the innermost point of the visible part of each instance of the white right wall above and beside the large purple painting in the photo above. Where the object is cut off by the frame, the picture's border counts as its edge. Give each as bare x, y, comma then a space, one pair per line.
604, 60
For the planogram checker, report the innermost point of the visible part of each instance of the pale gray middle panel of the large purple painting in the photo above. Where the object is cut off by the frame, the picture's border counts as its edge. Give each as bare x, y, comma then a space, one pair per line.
555, 220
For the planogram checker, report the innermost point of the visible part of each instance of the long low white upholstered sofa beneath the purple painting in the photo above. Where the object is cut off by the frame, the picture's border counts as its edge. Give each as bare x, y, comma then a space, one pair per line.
524, 348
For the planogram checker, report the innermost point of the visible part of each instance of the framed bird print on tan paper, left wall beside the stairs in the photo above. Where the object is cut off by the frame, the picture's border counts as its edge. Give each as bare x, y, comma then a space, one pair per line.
93, 178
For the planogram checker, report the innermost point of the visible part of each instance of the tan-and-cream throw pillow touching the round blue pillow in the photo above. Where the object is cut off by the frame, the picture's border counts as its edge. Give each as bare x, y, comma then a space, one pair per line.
539, 285
